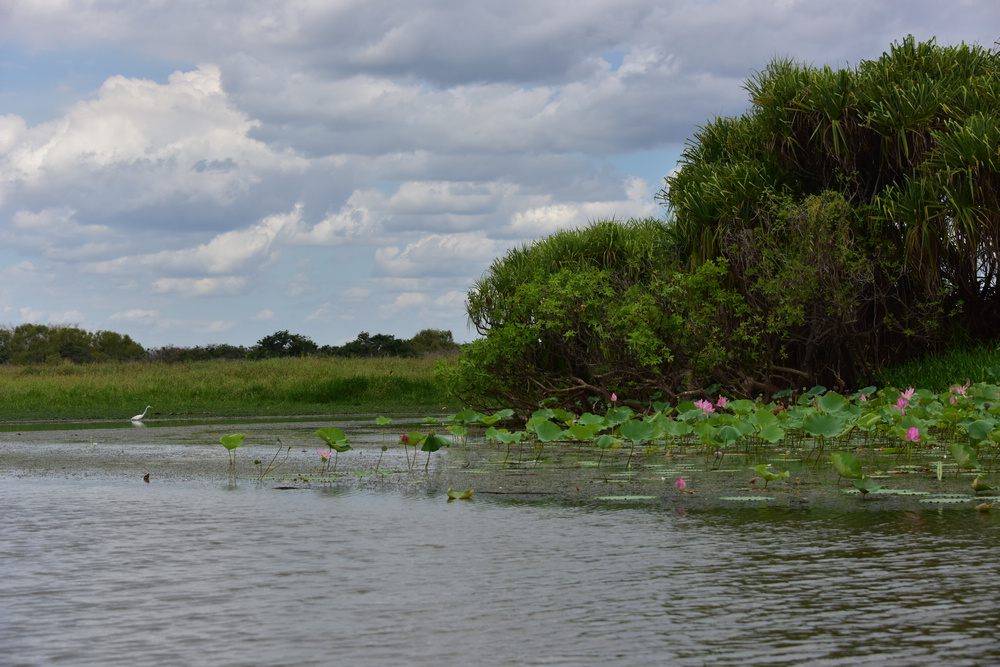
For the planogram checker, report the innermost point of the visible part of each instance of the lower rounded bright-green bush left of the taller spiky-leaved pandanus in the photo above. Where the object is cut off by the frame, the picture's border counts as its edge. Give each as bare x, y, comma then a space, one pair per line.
591, 311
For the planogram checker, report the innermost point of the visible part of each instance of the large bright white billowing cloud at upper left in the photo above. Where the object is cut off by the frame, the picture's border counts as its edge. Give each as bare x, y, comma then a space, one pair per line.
149, 143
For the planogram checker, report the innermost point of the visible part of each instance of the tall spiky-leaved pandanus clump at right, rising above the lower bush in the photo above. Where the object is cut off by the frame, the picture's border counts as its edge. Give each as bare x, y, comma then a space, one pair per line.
858, 208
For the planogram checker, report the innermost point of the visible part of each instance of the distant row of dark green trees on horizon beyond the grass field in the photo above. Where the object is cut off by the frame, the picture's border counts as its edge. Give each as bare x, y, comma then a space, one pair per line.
28, 344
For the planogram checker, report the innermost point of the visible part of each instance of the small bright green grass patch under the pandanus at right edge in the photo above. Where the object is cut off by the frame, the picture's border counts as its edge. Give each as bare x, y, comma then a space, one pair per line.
940, 371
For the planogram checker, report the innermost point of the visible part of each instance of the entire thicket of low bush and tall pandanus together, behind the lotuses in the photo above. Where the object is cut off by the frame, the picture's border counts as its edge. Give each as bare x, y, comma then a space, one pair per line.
848, 220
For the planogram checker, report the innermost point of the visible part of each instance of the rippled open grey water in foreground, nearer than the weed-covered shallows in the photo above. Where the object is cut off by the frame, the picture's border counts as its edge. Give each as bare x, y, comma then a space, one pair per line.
99, 572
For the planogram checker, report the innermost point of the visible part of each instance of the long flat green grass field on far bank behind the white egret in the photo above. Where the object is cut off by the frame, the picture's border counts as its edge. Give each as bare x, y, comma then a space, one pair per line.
290, 386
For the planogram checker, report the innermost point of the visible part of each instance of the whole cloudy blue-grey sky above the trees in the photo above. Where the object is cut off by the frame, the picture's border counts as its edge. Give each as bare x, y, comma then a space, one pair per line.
193, 173
